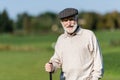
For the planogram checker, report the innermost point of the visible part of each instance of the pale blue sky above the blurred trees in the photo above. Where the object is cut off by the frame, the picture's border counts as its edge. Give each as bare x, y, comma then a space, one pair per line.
35, 7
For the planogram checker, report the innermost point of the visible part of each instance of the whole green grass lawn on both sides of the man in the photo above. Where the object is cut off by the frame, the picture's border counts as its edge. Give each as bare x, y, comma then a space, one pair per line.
24, 57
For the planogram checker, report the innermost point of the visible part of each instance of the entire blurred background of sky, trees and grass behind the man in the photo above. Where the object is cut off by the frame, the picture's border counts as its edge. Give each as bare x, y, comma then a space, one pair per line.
29, 30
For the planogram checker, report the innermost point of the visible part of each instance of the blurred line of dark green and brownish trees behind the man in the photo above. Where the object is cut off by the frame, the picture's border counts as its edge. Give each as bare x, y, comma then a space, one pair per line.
48, 22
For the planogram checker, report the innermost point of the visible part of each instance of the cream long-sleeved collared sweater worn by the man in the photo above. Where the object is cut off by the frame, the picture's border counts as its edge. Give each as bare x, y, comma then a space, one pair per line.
79, 56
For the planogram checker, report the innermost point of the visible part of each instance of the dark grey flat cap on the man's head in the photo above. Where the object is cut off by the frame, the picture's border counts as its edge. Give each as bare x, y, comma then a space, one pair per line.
67, 12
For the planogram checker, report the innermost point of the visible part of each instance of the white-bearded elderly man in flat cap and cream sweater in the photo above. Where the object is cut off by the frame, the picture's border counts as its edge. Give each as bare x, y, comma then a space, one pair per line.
77, 50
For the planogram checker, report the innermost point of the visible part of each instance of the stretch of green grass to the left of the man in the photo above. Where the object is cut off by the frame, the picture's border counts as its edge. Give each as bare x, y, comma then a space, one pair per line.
23, 57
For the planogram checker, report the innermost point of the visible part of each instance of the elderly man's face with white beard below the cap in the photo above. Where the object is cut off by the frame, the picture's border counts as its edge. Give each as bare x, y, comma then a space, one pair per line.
69, 24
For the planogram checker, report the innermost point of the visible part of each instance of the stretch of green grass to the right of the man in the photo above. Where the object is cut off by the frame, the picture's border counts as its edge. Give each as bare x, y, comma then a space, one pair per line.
111, 53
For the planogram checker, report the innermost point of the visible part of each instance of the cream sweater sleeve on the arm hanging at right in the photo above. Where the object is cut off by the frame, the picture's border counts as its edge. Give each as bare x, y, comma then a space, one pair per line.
98, 60
